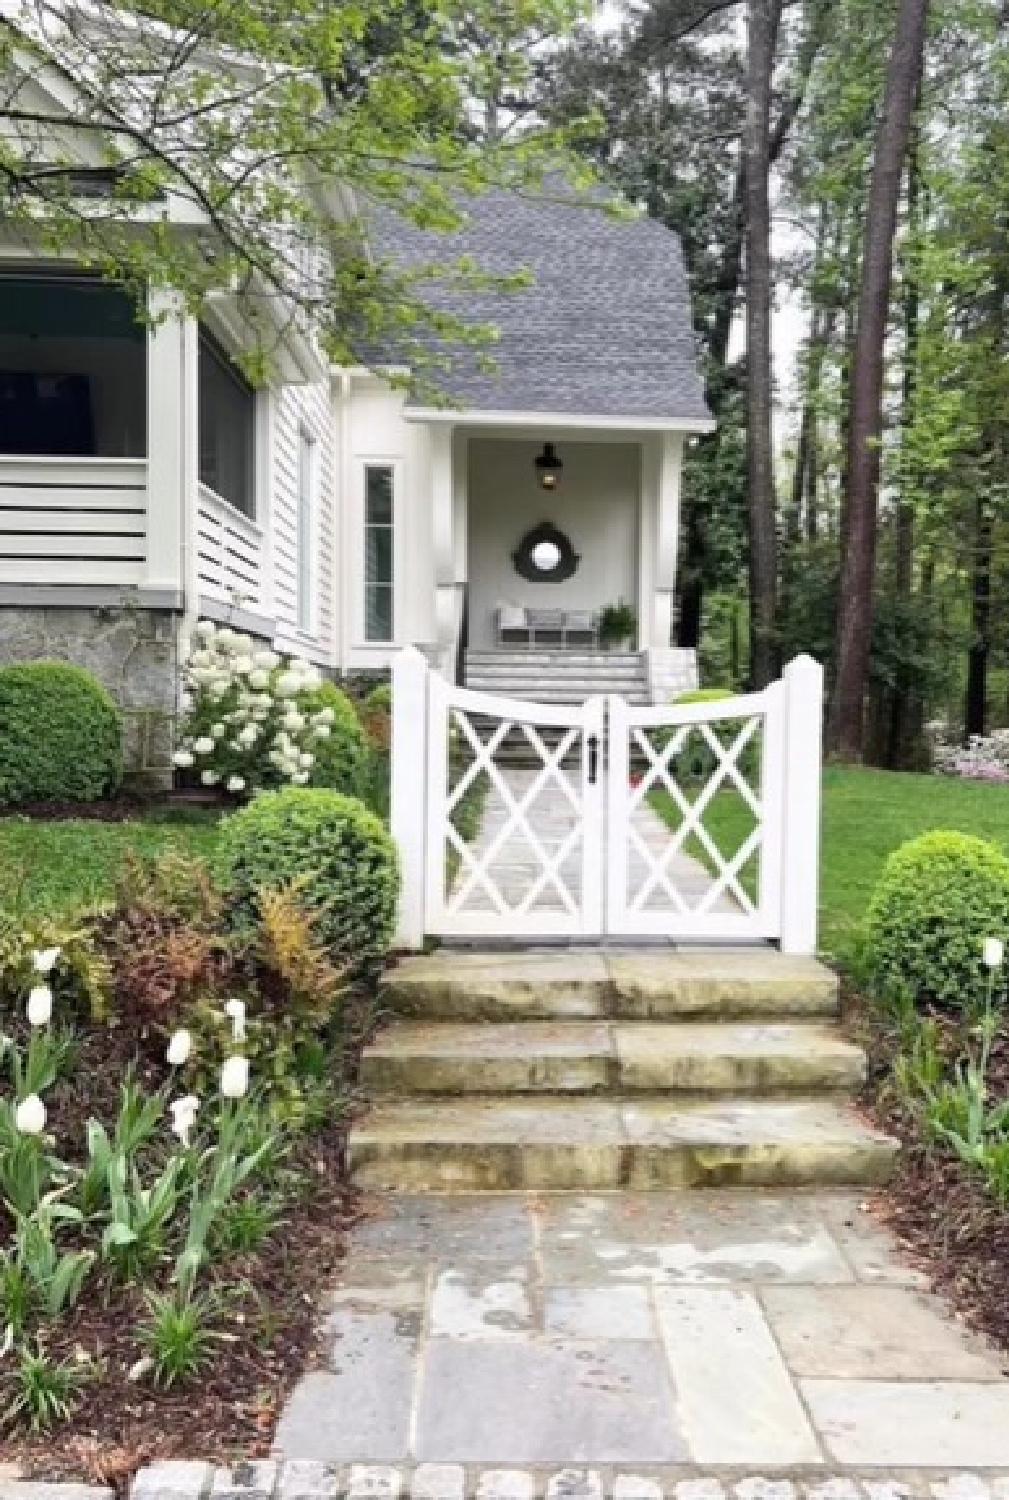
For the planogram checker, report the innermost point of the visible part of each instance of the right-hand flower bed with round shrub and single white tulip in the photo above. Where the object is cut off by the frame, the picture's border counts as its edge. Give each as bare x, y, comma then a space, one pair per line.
932, 1016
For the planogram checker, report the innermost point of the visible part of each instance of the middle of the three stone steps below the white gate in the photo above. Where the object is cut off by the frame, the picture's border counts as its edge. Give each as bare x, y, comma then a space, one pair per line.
609, 1058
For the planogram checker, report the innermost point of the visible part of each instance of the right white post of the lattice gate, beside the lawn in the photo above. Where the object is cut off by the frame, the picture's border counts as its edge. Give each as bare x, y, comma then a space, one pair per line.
801, 805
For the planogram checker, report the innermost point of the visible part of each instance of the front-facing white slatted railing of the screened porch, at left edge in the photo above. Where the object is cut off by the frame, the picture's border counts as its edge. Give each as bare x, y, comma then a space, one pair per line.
73, 521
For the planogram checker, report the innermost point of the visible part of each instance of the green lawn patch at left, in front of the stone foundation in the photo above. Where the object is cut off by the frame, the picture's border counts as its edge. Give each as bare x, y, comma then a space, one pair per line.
59, 868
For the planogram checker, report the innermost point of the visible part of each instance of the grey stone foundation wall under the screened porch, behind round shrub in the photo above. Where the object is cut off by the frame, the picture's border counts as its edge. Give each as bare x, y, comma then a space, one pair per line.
133, 652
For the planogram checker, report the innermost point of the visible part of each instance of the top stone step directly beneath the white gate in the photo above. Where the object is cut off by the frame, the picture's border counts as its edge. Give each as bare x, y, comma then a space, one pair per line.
651, 985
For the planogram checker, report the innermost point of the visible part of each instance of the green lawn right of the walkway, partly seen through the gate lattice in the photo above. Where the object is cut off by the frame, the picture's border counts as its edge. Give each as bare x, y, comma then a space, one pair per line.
866, 817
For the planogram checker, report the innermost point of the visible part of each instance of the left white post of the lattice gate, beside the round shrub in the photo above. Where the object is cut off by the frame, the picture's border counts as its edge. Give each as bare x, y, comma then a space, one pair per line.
409, 800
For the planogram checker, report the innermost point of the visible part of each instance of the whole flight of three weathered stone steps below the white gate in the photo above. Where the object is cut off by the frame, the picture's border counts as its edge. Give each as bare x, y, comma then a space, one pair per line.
591, 1072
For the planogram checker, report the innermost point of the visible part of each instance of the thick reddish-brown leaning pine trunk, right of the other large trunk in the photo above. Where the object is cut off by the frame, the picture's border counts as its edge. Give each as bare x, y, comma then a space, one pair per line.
858, 563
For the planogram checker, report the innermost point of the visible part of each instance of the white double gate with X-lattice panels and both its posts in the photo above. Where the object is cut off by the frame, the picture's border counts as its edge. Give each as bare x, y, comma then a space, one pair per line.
522, 821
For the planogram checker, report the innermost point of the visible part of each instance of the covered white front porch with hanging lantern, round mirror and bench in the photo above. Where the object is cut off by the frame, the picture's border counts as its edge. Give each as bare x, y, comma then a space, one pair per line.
555, 557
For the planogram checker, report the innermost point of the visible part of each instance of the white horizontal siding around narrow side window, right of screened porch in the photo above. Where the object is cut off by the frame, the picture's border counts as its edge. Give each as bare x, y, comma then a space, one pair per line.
298, 409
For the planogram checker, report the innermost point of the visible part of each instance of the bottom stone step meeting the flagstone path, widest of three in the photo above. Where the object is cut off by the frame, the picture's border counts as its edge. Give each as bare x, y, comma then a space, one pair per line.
599, 1145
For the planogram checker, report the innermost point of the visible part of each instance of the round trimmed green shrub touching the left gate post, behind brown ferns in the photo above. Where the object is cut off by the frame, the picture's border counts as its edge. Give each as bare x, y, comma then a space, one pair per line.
343, 853
